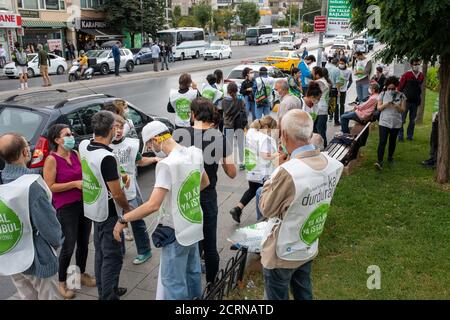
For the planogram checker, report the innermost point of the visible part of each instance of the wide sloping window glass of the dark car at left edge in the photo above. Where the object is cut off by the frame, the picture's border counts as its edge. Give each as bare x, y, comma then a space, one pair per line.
27, 121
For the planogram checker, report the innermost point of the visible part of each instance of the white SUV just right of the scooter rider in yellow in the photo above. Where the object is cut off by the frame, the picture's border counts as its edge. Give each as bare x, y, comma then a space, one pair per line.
105, 60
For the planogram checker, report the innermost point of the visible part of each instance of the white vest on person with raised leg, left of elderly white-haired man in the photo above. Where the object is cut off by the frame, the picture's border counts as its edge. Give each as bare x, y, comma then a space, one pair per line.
257, 167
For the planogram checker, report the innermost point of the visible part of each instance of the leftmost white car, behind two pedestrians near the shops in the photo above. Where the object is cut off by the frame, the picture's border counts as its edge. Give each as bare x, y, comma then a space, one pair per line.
58, 65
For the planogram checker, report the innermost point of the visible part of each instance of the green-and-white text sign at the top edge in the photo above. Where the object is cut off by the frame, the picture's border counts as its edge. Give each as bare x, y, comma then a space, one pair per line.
338, 17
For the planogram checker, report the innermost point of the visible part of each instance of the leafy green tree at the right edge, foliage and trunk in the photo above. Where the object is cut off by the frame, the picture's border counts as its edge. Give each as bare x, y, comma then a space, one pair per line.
414, 29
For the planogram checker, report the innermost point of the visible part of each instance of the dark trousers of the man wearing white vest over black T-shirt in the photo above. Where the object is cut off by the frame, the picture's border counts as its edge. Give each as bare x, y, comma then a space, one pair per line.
108, 259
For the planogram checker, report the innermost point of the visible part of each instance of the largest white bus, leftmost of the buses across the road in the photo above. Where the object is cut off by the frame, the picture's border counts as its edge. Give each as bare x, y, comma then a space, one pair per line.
187, 42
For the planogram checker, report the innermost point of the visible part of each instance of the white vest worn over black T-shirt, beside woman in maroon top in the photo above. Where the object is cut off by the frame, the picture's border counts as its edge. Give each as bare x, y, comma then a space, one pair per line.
95, 191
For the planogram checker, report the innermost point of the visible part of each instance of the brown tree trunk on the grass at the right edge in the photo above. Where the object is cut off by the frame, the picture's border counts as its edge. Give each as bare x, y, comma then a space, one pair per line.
443, 157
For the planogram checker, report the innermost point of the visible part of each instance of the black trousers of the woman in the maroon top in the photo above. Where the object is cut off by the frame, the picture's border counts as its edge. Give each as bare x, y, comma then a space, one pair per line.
76, 229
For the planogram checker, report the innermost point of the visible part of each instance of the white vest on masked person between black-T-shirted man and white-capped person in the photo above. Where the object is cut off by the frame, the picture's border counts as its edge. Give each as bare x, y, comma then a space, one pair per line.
126, 153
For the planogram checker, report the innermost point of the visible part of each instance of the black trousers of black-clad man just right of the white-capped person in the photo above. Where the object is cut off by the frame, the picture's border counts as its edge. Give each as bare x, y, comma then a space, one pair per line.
208, 245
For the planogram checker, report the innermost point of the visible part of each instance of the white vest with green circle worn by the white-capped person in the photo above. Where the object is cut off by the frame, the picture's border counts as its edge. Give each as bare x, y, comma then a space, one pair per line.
183, 201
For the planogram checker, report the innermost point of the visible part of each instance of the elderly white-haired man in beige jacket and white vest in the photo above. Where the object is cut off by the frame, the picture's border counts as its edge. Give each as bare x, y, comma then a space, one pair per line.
296, 200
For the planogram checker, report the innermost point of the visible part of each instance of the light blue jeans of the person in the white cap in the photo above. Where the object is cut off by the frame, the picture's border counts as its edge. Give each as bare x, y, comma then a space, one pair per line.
181, 271
